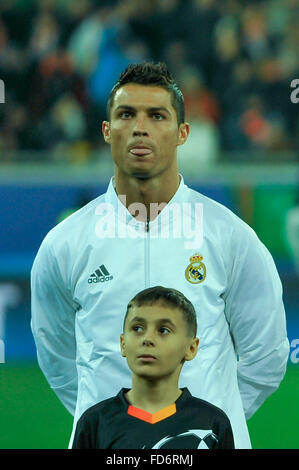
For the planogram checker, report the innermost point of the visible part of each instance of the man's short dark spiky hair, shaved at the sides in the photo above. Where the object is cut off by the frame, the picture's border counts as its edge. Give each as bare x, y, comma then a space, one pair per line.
155, 74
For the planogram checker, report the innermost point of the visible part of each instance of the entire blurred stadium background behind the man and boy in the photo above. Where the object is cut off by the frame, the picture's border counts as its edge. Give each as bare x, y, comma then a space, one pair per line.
234, 61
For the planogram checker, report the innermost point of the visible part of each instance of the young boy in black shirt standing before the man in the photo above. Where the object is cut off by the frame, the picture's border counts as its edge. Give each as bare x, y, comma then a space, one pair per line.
159, 335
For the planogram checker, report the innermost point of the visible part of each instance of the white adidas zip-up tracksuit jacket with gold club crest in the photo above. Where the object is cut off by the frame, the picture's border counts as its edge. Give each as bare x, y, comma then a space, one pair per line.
90, 265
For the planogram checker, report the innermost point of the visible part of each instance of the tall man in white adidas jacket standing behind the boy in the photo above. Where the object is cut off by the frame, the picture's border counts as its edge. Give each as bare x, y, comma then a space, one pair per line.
139, 234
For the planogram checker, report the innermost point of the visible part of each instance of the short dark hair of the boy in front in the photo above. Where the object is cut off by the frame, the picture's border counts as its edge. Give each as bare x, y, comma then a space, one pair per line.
169, 296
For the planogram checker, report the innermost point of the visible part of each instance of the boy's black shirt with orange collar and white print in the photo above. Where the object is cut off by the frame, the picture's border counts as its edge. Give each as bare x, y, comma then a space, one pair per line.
189, 423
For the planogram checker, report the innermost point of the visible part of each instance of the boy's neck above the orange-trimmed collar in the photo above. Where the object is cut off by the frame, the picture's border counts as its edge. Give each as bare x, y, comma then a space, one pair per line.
152, 396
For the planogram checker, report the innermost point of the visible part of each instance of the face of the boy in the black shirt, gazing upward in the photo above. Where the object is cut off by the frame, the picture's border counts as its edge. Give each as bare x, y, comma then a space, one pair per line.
155, 341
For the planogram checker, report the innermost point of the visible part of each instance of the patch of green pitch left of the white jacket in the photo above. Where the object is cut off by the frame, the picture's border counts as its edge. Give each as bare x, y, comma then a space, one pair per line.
31, 416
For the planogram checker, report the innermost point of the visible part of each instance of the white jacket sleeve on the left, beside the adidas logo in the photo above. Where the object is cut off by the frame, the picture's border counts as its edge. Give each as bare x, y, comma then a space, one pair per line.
53, 326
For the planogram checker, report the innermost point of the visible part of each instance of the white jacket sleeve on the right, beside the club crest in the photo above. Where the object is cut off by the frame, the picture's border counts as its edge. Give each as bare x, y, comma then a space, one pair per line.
256, 317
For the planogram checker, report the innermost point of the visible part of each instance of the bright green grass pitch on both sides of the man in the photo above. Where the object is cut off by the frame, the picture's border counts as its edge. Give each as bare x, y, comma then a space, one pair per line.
31, 416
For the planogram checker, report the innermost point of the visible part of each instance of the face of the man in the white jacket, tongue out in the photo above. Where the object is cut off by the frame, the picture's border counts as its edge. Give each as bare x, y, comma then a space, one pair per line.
143, 130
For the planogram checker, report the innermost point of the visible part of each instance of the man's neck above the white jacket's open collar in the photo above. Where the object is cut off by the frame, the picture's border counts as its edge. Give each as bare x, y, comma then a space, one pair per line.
152, 193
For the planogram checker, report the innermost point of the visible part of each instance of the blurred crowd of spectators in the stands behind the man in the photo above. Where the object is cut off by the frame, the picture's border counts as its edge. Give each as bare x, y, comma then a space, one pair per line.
233, 59
